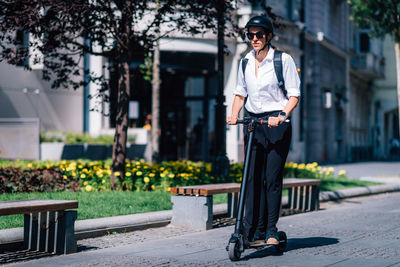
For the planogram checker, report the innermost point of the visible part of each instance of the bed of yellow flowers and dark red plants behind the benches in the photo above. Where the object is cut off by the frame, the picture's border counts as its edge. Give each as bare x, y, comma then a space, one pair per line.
86, 175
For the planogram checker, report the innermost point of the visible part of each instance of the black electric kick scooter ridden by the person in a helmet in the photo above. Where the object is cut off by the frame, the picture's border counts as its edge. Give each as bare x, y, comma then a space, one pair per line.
236, 243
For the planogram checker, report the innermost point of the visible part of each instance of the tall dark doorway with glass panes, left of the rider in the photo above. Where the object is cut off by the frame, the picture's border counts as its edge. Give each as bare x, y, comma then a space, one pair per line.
187, 114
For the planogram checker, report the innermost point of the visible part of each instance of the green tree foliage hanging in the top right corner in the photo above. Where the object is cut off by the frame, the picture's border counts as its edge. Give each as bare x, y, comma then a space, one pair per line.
382, 16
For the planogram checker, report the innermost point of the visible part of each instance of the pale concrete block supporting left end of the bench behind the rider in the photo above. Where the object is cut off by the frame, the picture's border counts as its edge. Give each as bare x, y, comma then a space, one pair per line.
192, 211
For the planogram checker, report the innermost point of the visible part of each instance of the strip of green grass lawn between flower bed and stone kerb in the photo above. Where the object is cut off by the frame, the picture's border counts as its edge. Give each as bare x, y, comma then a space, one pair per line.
106, 204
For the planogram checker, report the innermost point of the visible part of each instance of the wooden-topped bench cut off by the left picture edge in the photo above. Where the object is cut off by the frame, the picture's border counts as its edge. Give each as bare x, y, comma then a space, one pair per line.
48, 224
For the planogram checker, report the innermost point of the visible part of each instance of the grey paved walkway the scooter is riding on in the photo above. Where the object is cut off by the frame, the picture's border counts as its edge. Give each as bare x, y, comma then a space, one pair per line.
357, 232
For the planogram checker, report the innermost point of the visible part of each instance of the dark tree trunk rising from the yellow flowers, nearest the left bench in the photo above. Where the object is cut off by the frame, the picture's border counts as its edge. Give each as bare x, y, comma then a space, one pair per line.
121, 126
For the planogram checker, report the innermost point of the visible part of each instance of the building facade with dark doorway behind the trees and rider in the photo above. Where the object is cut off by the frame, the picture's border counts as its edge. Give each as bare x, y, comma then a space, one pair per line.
332, 123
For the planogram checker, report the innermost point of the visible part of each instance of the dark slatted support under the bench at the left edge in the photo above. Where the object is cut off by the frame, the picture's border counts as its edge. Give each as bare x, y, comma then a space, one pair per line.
51, 232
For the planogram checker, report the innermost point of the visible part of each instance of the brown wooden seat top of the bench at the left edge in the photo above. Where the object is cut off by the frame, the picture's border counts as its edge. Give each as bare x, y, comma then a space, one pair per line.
35, 205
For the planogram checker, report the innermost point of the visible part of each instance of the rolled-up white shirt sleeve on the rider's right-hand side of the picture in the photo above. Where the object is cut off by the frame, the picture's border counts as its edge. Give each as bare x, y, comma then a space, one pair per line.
290, 76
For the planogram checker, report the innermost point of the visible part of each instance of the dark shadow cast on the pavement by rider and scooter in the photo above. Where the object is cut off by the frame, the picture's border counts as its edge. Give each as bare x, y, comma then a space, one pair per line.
293, 244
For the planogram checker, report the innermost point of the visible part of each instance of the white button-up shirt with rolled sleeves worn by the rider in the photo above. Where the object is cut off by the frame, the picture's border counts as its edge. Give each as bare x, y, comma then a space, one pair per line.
262, 92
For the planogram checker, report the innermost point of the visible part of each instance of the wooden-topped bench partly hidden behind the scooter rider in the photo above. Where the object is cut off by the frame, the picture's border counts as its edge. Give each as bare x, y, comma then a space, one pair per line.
193, 205
